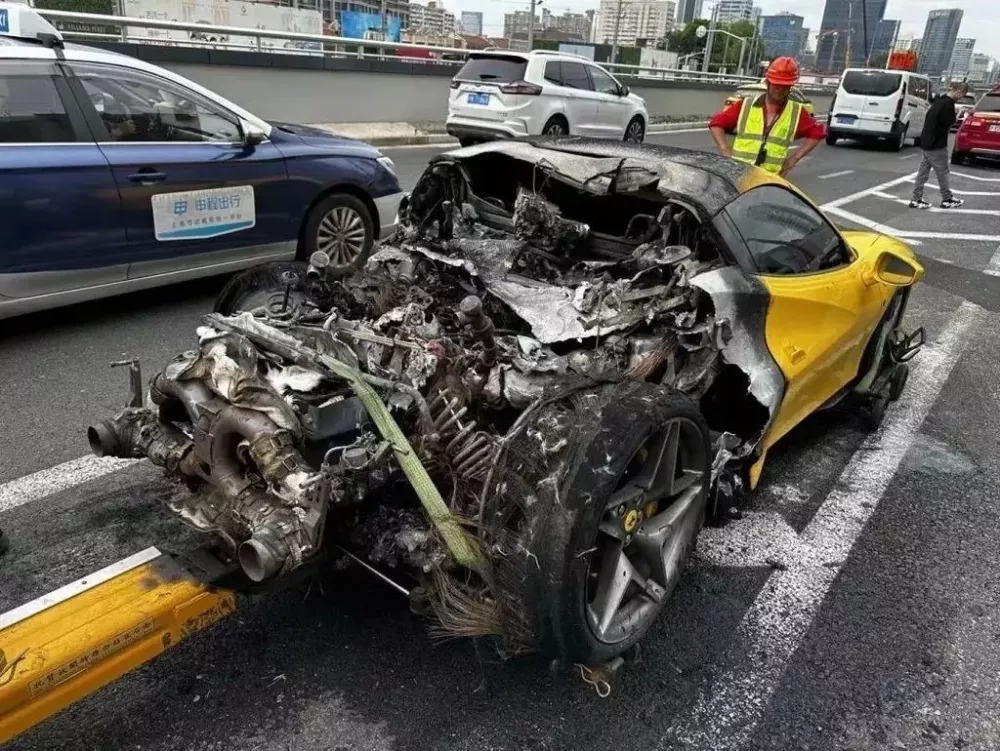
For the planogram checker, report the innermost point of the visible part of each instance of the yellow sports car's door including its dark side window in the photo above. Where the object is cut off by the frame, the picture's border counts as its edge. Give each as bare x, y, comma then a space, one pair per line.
821, 311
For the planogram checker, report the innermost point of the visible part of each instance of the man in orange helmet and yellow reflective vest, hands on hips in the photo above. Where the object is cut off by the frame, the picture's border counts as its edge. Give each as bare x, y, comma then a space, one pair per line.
766, 126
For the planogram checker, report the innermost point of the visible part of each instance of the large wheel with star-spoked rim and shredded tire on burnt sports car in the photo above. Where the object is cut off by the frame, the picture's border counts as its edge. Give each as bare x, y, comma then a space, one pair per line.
631, 491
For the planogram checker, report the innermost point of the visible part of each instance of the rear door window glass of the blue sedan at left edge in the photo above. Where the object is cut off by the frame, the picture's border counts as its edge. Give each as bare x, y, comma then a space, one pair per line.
31, 110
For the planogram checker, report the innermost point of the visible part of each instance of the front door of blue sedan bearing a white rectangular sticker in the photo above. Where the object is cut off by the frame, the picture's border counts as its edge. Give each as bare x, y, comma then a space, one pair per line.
192, 194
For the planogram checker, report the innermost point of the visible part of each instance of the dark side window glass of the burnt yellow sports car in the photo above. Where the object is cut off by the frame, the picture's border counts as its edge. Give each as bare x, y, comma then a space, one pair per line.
785, 234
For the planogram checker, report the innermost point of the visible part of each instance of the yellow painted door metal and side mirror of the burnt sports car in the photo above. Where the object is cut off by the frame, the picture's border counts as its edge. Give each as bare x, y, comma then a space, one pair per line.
819, 325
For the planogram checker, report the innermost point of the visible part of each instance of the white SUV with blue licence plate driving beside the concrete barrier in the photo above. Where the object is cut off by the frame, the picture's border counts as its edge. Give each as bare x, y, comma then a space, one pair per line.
511, 94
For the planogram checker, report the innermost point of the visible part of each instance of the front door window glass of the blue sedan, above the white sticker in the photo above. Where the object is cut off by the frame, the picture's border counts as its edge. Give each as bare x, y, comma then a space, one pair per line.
138, 107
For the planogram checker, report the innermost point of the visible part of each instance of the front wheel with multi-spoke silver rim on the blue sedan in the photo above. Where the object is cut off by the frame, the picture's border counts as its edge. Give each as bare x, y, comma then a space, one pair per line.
341, 226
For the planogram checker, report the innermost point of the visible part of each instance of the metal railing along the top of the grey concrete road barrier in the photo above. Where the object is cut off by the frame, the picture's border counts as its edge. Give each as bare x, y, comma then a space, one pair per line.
288, 42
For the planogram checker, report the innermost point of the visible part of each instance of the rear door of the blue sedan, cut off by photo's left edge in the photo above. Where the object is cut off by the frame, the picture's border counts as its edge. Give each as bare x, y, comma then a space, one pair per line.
59, 206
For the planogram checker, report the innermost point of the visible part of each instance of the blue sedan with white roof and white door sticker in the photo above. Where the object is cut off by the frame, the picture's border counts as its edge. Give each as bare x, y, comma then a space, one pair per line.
117, 175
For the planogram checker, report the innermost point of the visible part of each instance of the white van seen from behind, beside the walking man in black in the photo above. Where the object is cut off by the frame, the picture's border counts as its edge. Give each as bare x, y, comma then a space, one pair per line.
873, 104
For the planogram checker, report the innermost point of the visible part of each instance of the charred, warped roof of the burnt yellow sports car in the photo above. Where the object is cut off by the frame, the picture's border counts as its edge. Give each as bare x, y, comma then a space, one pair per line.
707, 180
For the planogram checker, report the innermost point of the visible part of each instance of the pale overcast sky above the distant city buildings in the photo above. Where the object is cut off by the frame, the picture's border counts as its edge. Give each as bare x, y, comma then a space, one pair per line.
979, 21
